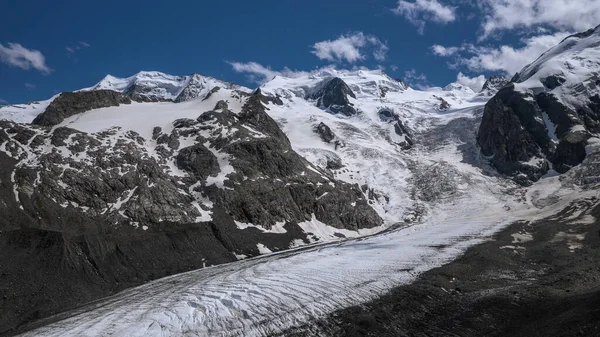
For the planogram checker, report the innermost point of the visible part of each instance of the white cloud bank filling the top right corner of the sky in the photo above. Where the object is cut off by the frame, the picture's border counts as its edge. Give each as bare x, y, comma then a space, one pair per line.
566, 15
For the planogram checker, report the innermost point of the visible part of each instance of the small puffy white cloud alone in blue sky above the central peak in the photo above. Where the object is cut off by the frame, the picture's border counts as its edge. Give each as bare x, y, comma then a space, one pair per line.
350, 48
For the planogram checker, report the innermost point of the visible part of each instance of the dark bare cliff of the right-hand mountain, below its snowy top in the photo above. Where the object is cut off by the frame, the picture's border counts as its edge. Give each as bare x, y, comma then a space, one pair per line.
520, 132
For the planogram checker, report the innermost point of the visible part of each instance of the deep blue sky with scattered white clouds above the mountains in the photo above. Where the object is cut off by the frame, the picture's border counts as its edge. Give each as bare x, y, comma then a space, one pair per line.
49, 47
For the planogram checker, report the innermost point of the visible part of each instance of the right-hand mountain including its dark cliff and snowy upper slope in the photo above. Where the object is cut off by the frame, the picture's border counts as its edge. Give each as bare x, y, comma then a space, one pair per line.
542, 122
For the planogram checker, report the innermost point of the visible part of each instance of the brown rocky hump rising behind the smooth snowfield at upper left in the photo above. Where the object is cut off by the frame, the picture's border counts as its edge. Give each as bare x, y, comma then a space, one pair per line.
72, 103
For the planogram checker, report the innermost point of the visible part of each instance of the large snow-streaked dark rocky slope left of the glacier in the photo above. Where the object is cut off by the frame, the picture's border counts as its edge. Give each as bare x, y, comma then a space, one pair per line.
112, 210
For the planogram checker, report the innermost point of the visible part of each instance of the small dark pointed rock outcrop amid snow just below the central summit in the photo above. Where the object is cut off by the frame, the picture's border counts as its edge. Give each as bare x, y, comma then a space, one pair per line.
333, 95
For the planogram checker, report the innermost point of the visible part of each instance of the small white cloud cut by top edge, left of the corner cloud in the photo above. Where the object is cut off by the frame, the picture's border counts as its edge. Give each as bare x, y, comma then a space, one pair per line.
421, 11
